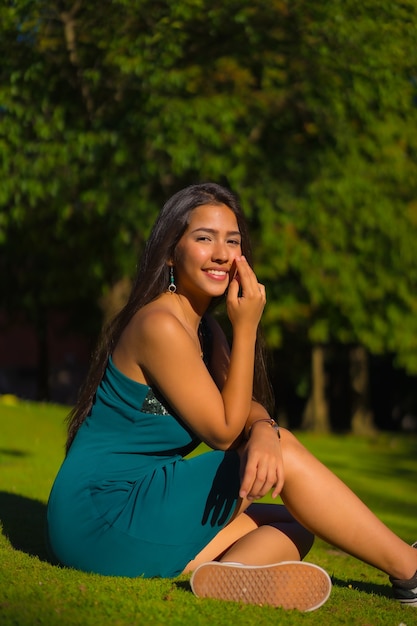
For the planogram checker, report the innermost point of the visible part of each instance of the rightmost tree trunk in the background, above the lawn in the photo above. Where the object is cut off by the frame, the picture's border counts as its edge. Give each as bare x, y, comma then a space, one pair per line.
362, 417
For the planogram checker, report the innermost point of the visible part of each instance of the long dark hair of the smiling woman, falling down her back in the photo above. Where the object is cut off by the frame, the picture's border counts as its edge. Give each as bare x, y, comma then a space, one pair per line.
152, 280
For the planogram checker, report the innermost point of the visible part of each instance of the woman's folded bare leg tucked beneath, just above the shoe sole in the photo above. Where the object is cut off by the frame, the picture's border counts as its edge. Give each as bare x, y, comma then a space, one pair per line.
263, 534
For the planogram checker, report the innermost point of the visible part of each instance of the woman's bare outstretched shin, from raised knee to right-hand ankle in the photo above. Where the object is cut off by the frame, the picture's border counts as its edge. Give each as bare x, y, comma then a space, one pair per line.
329, 509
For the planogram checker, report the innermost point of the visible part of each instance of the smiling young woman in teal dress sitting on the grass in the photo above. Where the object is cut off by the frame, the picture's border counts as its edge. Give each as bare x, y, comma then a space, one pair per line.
128, 502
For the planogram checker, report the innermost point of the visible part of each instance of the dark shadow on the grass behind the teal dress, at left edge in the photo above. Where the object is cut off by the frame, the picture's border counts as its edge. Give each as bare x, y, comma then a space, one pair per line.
23, 521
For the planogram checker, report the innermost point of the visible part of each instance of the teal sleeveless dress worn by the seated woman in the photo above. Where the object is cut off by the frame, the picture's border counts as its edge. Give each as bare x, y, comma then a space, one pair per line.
125, 501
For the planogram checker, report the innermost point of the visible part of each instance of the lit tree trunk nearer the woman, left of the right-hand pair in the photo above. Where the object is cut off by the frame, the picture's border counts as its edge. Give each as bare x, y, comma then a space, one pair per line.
316, 414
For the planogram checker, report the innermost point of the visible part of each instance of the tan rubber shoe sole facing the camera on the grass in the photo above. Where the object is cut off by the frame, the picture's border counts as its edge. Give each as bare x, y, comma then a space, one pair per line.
289, 585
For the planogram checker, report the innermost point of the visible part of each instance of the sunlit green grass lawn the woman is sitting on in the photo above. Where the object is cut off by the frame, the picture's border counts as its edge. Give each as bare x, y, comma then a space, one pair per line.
382, 470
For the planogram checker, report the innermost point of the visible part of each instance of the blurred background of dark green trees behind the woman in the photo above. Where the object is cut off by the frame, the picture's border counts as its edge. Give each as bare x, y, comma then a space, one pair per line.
307, 110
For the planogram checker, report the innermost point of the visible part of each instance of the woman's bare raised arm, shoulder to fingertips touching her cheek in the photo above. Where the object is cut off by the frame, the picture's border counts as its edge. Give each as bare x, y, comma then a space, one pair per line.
169, 359
